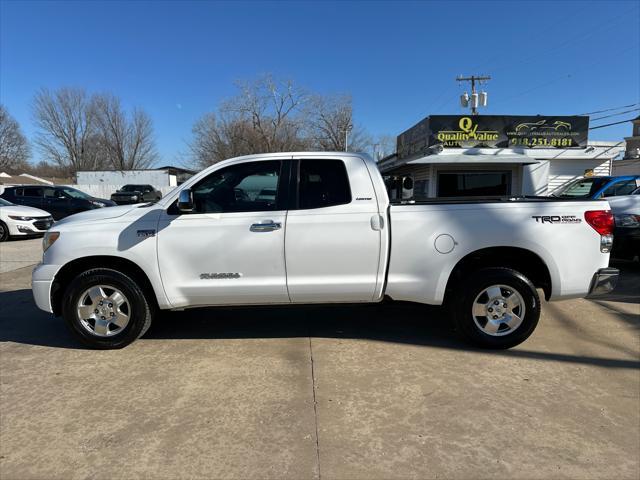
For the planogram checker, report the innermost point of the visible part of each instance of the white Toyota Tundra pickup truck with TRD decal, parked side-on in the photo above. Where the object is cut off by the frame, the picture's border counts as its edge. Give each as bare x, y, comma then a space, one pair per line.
300, 228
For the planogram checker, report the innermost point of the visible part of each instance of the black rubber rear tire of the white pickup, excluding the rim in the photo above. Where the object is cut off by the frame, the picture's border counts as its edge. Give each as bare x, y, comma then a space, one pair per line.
463, 298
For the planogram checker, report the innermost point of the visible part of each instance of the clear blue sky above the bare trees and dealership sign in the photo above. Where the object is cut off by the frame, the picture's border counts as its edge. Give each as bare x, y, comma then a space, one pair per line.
177, 60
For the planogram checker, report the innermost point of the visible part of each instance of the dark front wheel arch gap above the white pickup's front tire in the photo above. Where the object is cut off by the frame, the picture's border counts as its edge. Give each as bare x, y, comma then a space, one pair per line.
74, 268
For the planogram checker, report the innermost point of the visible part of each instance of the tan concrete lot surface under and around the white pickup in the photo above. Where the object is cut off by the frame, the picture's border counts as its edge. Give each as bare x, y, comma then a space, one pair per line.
333, 392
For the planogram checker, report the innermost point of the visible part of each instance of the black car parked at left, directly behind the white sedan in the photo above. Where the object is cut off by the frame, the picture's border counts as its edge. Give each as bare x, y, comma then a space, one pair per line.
59, 201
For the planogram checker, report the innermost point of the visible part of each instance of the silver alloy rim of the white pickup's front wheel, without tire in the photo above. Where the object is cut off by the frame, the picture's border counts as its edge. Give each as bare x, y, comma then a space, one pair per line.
103, 310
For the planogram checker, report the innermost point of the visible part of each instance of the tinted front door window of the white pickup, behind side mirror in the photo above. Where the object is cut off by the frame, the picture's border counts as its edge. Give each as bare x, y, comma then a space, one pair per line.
247, 187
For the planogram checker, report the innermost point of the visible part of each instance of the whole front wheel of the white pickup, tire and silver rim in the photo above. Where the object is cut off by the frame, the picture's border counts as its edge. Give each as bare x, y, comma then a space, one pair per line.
106, 309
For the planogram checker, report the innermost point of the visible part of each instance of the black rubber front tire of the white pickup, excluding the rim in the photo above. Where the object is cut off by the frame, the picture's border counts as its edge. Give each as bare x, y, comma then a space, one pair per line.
142, 309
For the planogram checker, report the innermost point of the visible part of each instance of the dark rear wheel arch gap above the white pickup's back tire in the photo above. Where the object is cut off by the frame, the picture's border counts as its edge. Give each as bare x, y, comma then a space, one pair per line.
521, 260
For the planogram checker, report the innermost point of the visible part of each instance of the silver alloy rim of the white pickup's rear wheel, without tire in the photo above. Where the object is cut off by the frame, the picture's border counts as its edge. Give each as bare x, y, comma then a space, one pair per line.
498, 310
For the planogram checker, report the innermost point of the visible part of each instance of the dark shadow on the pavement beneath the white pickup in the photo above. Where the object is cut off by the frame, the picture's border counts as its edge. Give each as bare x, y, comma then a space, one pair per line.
397, 322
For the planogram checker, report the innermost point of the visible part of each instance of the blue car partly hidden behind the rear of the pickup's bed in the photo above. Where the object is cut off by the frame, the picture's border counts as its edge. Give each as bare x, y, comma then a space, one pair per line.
598, 187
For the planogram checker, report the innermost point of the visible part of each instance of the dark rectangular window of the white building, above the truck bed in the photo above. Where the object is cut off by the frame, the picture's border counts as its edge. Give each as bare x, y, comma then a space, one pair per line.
474, 184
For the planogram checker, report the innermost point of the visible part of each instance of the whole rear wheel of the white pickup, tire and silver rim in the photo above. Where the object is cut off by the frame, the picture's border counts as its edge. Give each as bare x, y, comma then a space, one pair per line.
496, 308
